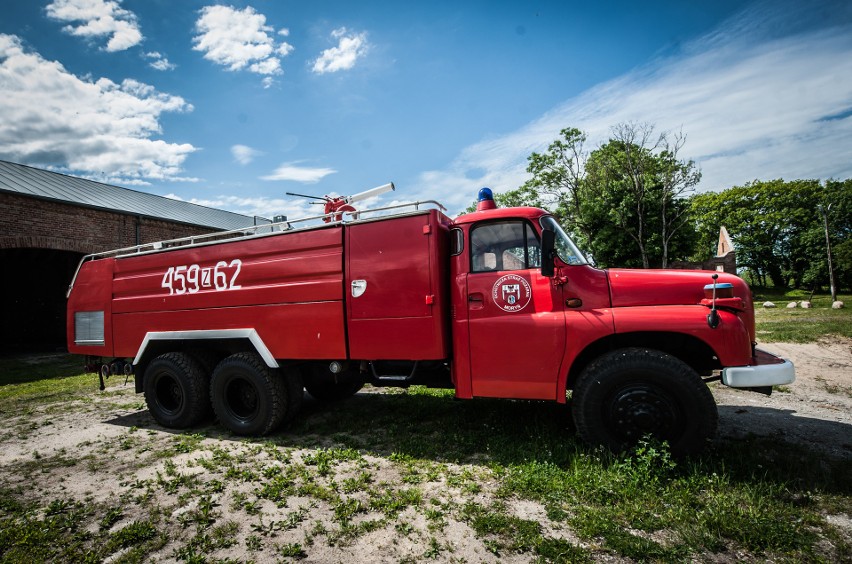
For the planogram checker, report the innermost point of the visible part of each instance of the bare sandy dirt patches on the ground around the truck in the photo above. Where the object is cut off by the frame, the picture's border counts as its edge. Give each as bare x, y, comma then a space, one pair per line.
104, 449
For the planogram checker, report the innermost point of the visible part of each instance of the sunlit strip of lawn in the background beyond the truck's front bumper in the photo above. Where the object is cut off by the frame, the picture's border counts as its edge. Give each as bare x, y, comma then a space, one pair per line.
799, 325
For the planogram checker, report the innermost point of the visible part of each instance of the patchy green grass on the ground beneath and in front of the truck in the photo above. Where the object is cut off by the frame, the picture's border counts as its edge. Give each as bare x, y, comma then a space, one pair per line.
416, 464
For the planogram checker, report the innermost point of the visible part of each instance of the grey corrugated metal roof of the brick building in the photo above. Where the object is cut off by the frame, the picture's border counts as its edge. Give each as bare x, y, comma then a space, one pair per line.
38, 183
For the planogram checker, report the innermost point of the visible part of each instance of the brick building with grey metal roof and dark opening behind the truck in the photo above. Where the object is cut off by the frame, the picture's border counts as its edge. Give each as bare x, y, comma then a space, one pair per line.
49, 221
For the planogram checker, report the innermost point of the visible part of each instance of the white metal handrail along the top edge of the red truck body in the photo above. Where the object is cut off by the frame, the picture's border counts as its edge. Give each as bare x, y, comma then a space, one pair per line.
334, 218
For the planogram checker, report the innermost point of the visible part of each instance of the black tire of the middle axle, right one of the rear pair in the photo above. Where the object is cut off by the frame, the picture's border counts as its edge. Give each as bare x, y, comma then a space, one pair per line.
248, 397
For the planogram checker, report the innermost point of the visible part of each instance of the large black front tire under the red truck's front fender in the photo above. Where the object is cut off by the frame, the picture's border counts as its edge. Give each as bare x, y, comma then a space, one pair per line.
629, 393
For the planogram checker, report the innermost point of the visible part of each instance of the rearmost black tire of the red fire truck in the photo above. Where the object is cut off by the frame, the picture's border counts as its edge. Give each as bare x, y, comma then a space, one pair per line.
175, 390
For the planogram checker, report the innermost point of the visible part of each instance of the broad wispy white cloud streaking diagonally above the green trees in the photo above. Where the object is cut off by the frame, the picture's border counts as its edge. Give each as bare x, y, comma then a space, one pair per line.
753, 107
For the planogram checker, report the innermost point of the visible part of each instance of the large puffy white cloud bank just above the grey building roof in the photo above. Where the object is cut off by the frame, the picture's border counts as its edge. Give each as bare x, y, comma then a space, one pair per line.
50, 117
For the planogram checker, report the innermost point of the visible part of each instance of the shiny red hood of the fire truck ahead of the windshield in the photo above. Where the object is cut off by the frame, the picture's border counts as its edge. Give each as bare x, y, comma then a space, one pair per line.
632, 288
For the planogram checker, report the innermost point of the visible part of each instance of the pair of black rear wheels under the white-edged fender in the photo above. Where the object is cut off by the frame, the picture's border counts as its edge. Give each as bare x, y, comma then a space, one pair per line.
247, 396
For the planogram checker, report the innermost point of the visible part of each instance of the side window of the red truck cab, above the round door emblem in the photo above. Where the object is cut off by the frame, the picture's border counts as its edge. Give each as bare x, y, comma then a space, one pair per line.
505, 245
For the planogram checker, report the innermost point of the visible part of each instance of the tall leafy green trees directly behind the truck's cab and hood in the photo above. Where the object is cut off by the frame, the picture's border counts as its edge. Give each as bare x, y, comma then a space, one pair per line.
624, 200
